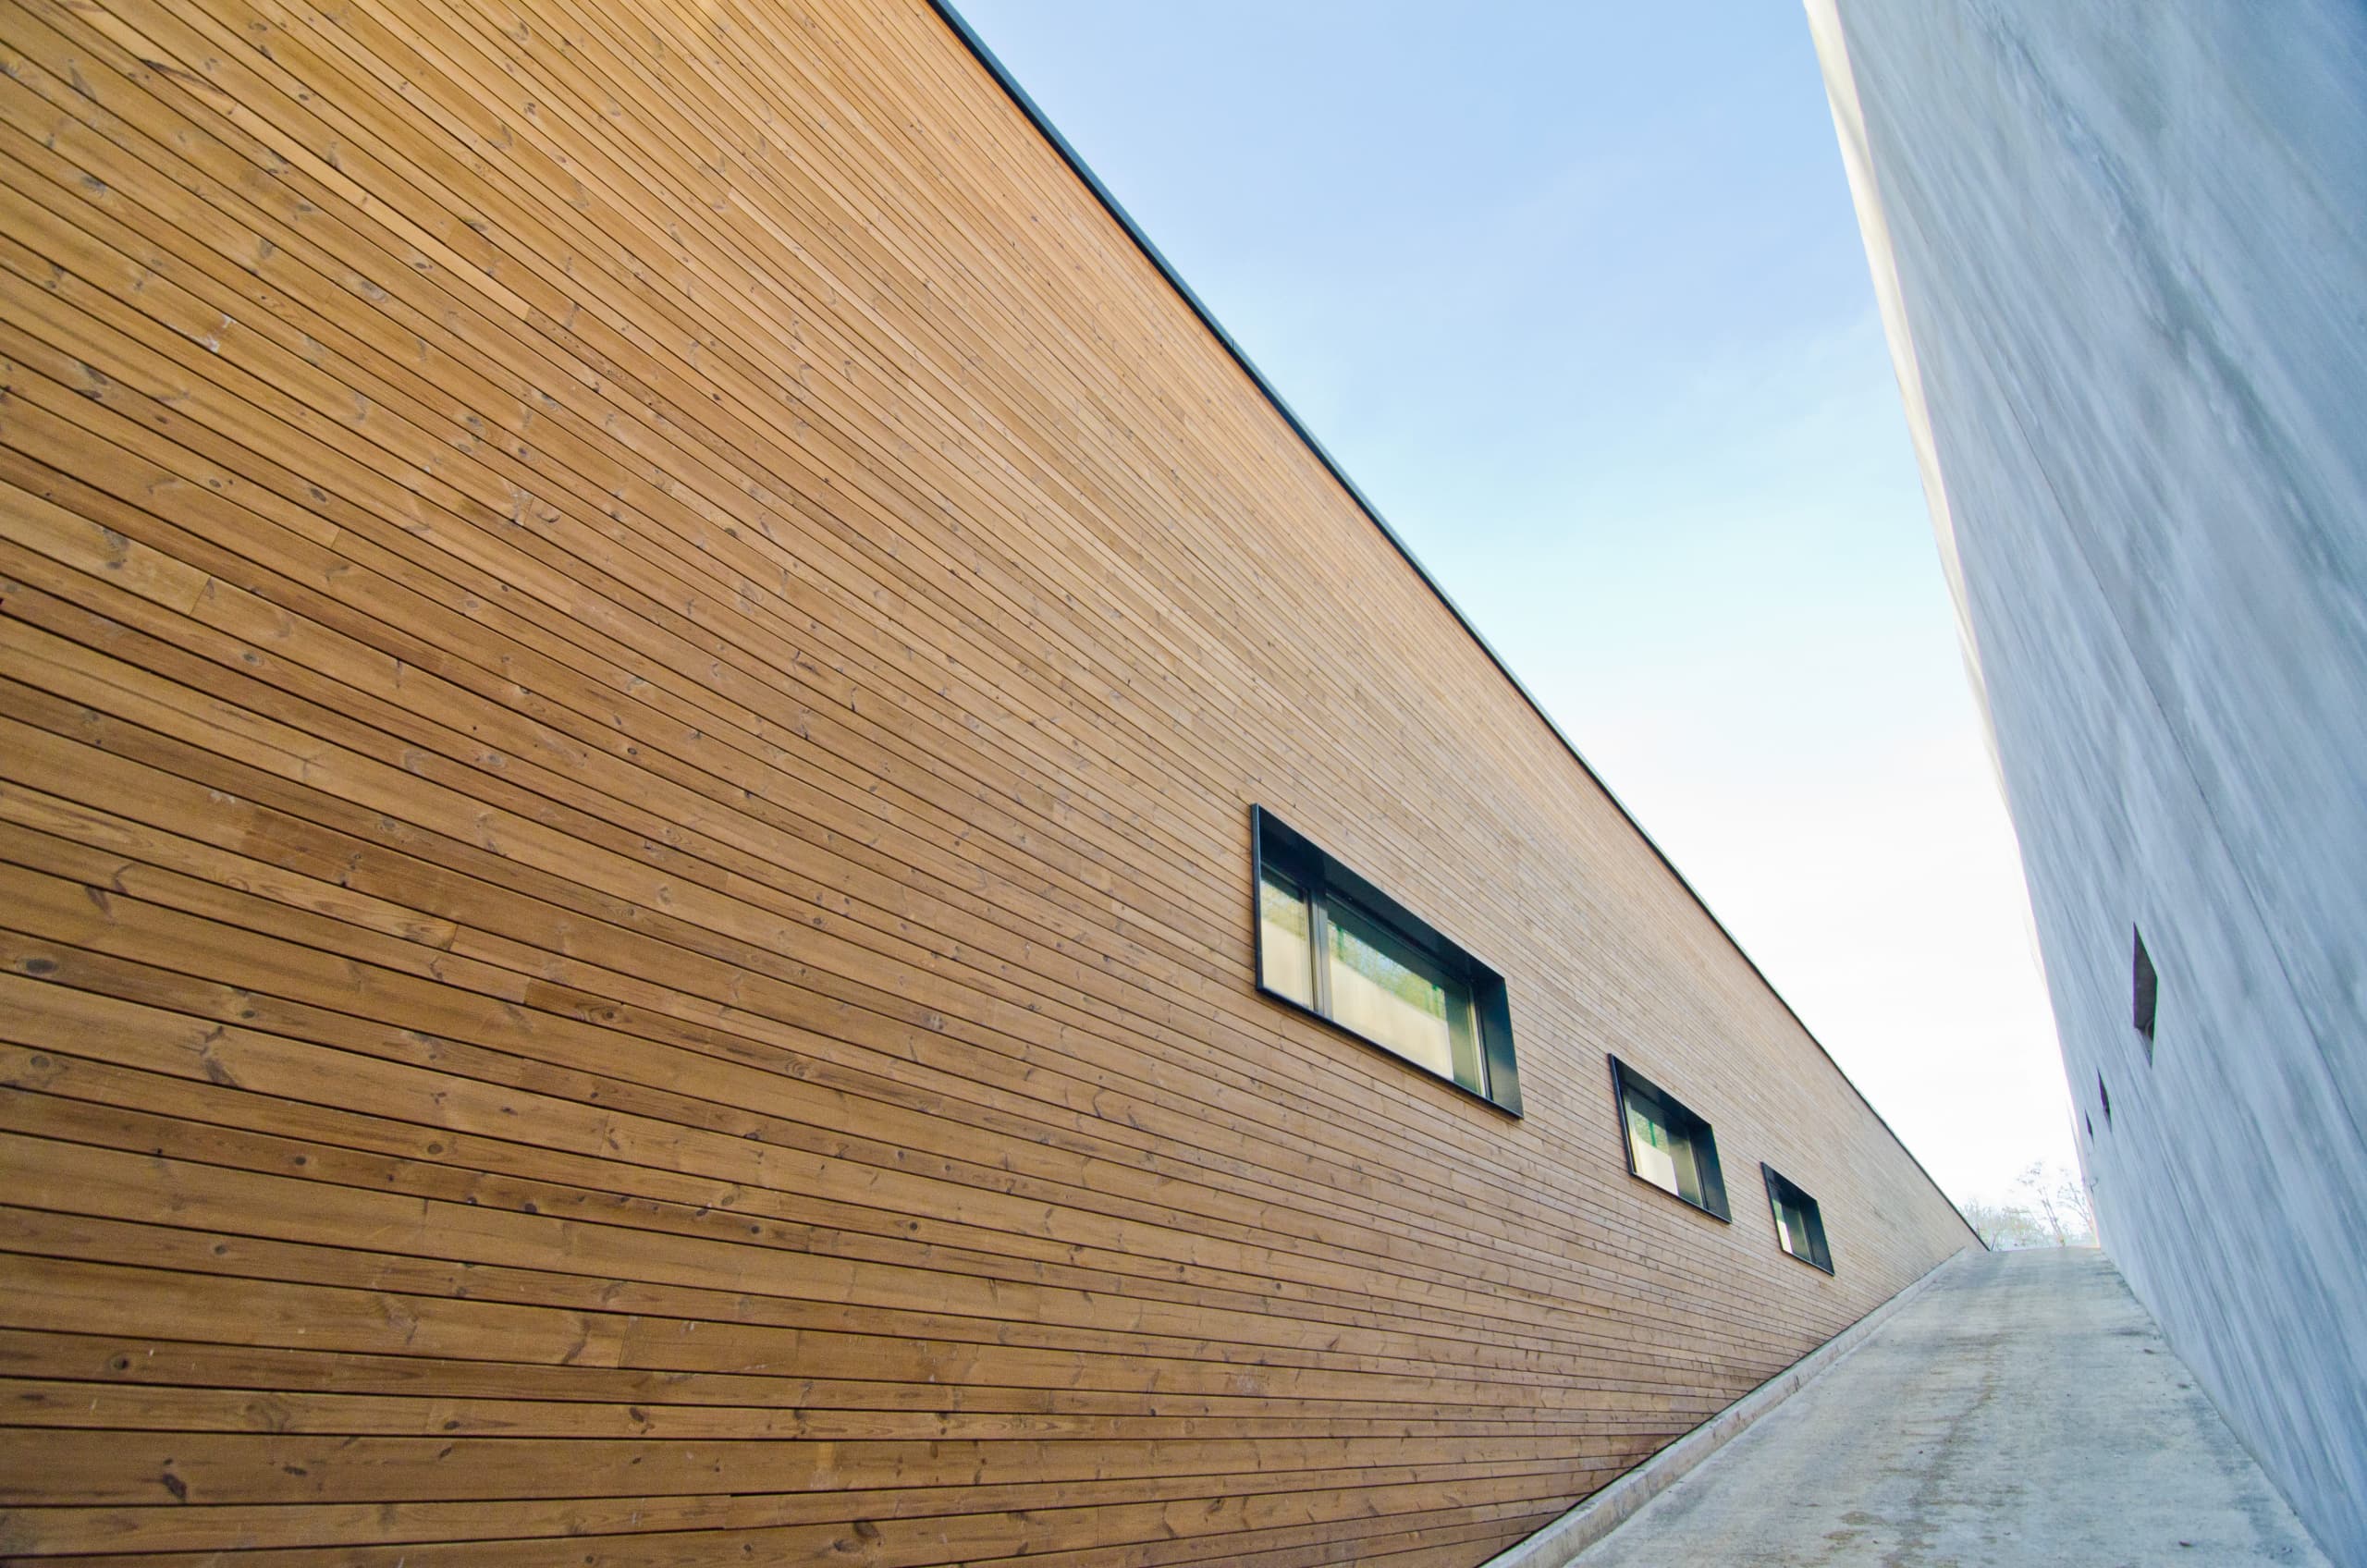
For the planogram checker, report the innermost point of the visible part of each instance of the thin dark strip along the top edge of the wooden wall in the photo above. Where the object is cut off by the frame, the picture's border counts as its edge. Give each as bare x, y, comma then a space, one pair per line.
1225, 340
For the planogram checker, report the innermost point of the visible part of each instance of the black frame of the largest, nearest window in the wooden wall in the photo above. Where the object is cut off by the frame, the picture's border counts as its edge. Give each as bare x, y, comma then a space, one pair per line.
1324, 882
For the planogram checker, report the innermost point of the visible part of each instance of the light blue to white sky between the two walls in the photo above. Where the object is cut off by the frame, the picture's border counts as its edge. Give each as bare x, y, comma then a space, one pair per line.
1575, 293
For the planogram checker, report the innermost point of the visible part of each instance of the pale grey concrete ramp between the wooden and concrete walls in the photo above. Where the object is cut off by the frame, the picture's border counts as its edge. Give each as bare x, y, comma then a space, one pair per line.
2023, 1410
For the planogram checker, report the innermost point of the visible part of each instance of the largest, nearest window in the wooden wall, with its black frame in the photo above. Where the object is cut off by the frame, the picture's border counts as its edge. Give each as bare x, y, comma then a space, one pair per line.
1341, 949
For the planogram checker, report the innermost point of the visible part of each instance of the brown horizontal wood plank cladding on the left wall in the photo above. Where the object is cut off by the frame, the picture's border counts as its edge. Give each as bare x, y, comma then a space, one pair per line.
636, 645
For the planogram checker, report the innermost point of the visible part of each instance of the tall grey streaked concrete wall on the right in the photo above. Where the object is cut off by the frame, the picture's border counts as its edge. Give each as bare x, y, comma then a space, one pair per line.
2124, 259
